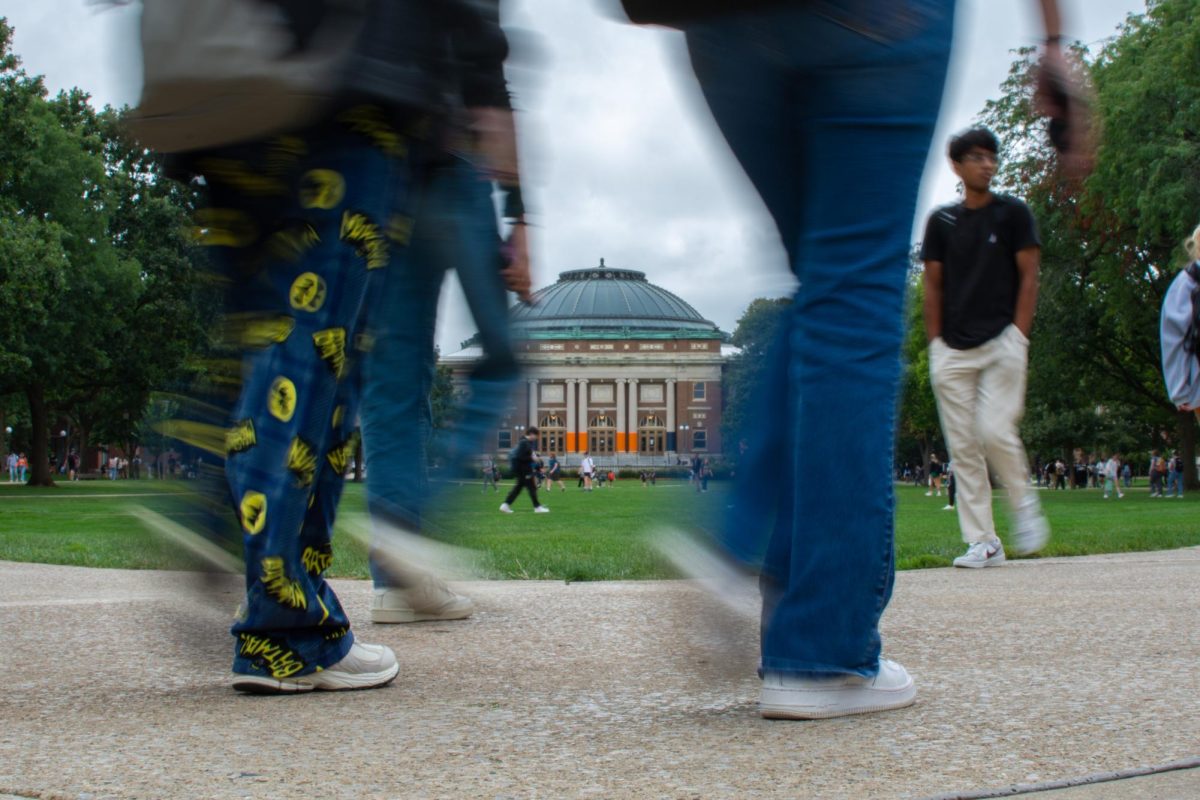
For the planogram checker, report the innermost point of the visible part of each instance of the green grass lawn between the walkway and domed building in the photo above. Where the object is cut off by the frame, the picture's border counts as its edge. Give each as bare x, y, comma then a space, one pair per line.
595, 537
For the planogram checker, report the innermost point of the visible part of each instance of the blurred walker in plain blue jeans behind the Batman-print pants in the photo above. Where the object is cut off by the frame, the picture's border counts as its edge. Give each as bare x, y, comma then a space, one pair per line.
454, 227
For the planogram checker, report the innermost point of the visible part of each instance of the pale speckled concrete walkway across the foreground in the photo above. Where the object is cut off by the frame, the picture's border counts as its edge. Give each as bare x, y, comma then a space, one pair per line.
116, 687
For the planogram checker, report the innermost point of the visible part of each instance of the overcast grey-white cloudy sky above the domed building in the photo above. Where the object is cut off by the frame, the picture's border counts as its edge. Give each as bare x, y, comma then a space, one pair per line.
622, 161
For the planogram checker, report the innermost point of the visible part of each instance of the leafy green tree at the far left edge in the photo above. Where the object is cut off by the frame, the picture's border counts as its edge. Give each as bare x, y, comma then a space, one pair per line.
94, 258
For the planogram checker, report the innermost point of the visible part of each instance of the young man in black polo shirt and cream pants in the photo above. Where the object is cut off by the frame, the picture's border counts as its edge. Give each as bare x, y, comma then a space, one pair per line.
982, 257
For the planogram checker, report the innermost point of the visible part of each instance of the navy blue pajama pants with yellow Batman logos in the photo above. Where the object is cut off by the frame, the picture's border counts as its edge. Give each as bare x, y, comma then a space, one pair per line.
299, 226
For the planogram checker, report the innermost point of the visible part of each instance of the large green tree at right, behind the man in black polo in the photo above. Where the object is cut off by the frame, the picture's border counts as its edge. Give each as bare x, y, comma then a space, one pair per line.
1111, 246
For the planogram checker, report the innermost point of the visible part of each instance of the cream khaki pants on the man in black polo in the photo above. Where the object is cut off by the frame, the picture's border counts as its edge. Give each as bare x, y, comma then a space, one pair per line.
981, 399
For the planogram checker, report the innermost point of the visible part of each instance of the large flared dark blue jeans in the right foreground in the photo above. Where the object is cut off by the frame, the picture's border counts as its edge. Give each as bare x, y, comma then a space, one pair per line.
831, 110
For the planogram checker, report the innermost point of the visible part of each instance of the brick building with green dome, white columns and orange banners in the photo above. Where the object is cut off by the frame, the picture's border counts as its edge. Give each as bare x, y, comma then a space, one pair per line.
614, 366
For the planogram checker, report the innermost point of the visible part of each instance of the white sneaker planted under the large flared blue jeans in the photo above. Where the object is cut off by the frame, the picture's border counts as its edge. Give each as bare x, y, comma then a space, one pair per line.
788, 697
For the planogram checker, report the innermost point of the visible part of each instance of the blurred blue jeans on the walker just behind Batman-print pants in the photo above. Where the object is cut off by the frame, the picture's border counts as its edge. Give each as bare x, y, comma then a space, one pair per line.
454, 227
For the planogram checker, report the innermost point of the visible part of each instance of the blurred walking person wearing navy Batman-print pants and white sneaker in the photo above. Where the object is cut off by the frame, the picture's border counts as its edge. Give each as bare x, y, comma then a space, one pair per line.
298, 224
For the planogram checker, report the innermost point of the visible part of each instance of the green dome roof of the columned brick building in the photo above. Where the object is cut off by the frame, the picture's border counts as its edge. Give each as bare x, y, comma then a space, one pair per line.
603, 303
